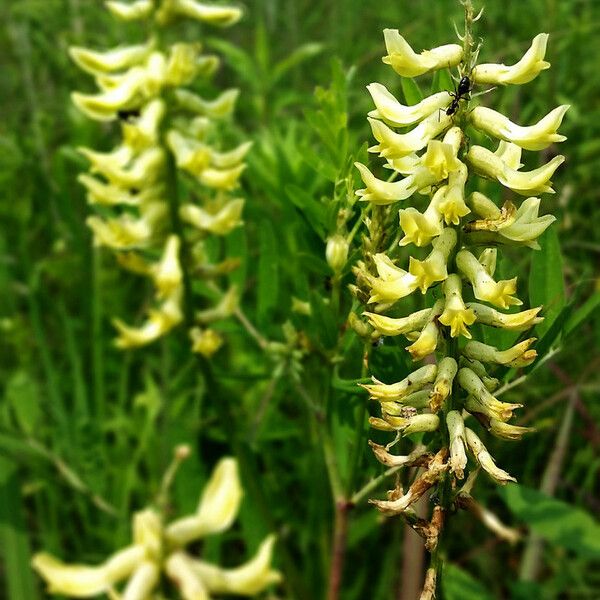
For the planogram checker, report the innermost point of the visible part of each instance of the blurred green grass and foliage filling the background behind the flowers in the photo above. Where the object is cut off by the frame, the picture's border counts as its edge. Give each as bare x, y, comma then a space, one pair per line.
86, 431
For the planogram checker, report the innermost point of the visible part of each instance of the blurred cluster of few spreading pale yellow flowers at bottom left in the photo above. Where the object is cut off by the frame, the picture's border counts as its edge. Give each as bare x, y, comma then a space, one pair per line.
159, 548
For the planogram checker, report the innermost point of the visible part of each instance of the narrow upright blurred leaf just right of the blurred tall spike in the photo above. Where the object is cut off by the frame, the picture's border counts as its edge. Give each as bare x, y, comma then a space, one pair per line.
268, 274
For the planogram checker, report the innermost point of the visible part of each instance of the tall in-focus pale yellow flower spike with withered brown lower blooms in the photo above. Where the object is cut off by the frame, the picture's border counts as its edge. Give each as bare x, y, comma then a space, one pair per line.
428, 151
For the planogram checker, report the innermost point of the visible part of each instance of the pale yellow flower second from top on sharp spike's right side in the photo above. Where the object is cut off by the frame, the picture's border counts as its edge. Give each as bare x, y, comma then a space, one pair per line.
534, 137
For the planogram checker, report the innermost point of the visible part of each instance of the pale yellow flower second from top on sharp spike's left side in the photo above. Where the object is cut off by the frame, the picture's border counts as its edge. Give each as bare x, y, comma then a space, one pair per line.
391, 111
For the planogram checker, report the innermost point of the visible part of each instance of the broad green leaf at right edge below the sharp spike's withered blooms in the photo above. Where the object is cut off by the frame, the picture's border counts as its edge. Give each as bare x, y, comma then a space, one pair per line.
554, 520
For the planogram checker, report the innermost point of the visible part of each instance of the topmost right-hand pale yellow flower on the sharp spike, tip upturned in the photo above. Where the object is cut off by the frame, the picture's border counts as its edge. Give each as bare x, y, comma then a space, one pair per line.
524, 71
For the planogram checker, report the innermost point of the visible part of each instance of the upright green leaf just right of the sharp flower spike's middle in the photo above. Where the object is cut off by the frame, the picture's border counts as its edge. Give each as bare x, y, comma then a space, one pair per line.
546, 284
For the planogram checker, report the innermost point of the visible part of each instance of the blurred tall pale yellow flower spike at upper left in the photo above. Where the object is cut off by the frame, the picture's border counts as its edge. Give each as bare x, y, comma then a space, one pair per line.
165, 126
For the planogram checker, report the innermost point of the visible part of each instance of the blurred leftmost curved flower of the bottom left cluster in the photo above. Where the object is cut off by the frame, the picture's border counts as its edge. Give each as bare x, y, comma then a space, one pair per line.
81, 581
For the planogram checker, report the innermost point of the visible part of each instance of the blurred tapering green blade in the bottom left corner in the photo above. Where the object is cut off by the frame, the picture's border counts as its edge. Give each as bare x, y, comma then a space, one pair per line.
14, 542
